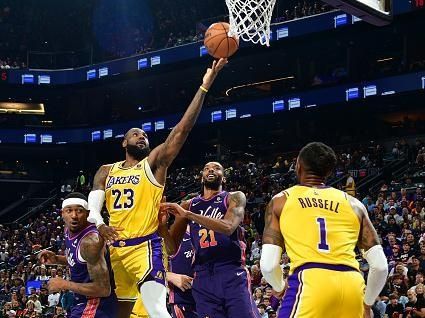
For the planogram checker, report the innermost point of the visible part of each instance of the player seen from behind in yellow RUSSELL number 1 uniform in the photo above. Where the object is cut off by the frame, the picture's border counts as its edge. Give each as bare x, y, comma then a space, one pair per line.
319, 227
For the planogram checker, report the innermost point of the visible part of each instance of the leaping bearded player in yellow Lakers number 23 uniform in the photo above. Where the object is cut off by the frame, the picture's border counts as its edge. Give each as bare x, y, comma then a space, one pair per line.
133, 190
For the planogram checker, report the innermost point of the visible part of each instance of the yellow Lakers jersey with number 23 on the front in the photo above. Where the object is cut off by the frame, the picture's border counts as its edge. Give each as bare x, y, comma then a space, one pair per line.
132, 199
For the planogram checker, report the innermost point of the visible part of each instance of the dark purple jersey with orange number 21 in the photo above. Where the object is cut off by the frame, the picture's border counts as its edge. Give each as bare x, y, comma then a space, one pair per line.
212, 248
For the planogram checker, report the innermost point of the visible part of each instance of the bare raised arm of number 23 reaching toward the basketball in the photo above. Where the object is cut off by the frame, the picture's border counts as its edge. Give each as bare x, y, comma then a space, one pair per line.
162, 156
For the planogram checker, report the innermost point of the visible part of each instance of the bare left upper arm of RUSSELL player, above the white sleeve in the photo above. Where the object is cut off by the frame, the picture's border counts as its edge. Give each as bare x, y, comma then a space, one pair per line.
272, 233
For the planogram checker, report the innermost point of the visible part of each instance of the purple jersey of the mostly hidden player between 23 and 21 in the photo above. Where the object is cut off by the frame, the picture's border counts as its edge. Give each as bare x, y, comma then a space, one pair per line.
181, 263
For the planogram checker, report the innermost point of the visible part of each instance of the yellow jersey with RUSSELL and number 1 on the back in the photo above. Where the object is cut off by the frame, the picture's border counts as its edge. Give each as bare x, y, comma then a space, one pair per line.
319, 225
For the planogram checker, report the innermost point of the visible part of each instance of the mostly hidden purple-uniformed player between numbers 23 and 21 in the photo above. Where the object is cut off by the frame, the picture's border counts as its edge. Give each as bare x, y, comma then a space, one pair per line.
179, 279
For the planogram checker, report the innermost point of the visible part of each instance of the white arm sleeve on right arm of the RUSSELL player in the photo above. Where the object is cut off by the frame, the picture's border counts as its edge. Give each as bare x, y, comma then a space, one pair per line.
378, 272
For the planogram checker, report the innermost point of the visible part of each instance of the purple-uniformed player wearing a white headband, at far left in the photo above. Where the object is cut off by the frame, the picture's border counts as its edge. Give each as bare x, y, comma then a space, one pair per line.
86, 255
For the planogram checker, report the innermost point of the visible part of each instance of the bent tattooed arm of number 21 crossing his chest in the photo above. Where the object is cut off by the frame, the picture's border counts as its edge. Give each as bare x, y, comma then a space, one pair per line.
234, 215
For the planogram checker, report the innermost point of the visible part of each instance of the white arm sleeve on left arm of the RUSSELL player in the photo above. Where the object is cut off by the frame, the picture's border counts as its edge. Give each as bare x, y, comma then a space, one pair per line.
270, 266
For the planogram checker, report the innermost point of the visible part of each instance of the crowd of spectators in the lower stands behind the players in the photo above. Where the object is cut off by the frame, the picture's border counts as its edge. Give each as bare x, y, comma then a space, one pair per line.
397, 212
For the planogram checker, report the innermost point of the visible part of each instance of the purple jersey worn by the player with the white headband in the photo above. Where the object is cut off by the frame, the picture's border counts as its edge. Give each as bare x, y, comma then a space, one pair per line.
77, 265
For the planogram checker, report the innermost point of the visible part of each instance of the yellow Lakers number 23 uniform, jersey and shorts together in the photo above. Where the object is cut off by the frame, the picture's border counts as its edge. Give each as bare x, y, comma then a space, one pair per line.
132, 199
